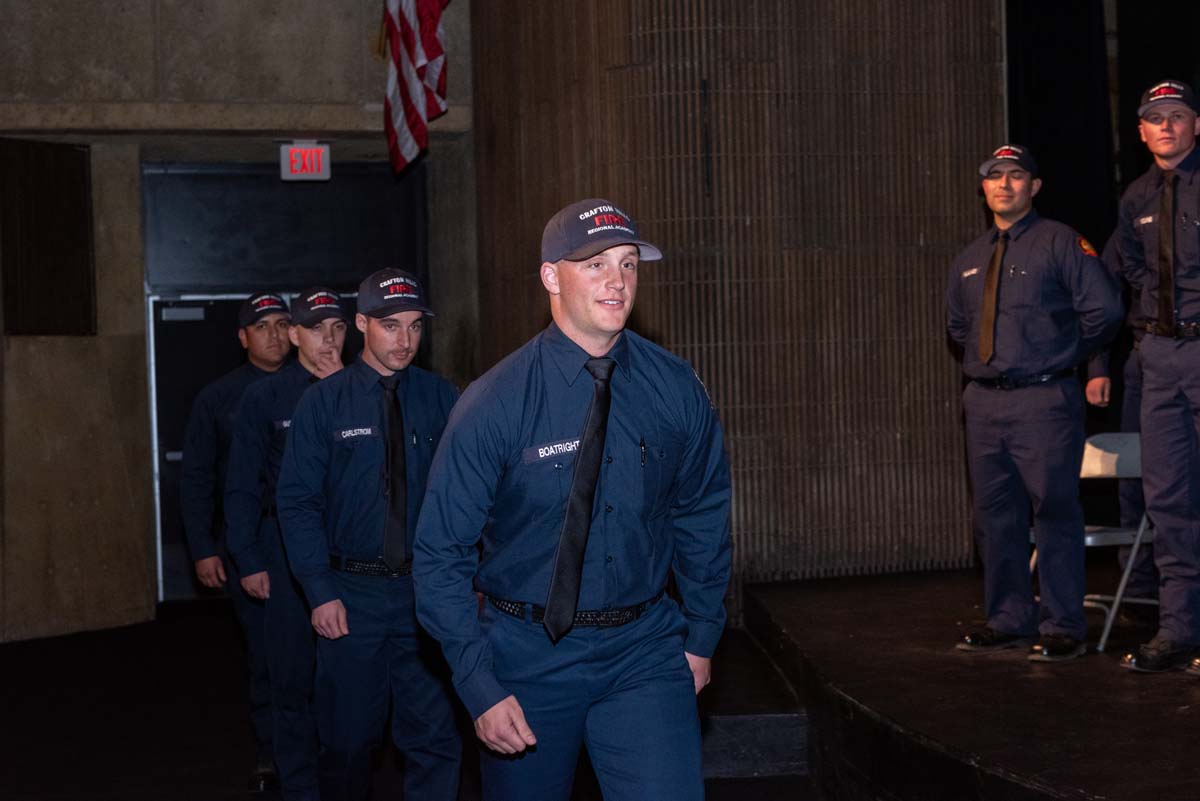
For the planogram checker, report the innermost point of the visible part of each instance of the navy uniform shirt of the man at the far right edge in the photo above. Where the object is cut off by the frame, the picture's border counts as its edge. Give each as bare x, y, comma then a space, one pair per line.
1138, 228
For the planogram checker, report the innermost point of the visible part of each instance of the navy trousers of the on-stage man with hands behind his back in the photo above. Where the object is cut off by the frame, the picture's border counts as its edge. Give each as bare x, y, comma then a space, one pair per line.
1025, 447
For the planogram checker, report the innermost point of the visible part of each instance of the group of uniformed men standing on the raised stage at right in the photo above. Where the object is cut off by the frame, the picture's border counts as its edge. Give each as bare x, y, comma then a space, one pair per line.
1028, 303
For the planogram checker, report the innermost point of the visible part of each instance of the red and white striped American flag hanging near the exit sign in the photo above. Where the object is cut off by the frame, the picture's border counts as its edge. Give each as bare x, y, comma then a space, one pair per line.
417, 79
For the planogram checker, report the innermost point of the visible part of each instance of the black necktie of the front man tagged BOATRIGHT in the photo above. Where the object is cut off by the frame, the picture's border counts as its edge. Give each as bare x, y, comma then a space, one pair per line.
573, 541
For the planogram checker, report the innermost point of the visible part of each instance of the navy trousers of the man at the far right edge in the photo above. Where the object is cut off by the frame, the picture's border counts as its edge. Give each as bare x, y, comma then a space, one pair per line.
1171, 467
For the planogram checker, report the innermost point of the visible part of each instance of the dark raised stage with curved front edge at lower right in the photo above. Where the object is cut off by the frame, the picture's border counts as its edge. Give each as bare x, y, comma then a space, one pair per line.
896, 713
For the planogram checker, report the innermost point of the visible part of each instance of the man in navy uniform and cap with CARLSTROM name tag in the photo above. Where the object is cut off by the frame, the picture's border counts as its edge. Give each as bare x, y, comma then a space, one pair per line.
351, 487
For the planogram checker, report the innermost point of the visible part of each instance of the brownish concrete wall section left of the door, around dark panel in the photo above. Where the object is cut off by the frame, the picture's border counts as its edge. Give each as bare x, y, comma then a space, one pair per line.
79, 551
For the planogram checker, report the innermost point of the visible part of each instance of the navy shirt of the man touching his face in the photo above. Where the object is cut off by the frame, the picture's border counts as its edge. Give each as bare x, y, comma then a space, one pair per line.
260, 433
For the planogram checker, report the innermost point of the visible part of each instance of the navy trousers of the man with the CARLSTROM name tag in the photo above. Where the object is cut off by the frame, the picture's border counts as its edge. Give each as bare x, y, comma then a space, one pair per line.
386, 658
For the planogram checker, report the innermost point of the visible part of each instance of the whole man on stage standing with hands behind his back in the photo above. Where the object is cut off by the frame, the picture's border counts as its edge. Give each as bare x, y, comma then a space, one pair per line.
1028, 302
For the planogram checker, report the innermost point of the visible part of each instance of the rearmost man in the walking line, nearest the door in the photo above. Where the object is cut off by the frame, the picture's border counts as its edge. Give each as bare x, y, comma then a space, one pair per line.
263, 324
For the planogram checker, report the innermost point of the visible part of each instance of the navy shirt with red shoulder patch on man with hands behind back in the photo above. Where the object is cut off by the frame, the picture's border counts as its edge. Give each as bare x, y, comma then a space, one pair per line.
1057, 302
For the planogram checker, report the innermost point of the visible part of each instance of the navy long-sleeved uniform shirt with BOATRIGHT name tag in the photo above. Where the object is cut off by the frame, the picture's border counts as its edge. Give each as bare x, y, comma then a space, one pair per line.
503, 475
